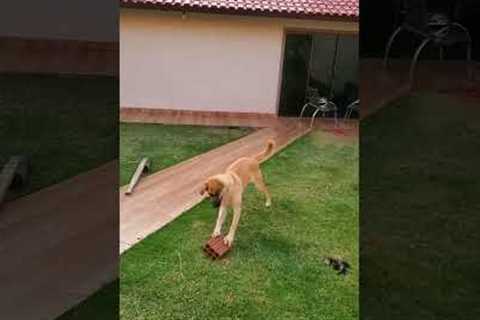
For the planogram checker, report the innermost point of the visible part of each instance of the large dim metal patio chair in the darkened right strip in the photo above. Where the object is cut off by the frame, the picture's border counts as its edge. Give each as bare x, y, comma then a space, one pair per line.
437, 28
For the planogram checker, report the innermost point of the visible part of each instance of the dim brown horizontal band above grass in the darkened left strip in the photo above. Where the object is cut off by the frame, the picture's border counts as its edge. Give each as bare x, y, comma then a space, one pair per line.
31, 55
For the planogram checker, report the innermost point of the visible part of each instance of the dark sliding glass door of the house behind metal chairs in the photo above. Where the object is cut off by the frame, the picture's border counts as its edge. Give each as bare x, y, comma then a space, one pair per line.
325, 62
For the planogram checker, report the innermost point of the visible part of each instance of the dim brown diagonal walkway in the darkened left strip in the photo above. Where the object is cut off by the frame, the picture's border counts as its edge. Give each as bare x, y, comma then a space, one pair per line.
59, 245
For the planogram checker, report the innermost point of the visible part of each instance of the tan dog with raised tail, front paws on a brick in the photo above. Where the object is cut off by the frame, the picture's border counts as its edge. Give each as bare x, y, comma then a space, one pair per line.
226, 189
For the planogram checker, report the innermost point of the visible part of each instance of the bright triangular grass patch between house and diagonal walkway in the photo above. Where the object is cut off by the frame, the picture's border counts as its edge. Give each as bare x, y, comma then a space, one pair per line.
166, 145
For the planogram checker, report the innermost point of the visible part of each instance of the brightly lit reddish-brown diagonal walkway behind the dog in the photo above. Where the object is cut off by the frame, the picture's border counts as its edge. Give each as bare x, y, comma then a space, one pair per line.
162, 197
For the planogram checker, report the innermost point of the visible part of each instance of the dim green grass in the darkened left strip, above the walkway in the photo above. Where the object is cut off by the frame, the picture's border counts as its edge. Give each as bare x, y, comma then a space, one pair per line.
66, 125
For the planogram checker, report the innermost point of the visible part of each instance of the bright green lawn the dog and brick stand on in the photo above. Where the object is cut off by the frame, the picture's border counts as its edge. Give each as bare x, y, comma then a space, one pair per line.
275, 270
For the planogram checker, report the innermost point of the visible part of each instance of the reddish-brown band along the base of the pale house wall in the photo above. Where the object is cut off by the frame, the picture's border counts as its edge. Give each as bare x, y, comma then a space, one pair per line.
211, 118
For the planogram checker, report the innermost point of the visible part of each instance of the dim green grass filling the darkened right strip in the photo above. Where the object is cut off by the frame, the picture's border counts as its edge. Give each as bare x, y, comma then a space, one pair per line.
419, 216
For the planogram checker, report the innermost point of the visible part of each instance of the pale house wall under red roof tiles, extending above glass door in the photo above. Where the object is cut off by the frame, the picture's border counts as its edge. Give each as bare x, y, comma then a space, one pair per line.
204, 62
